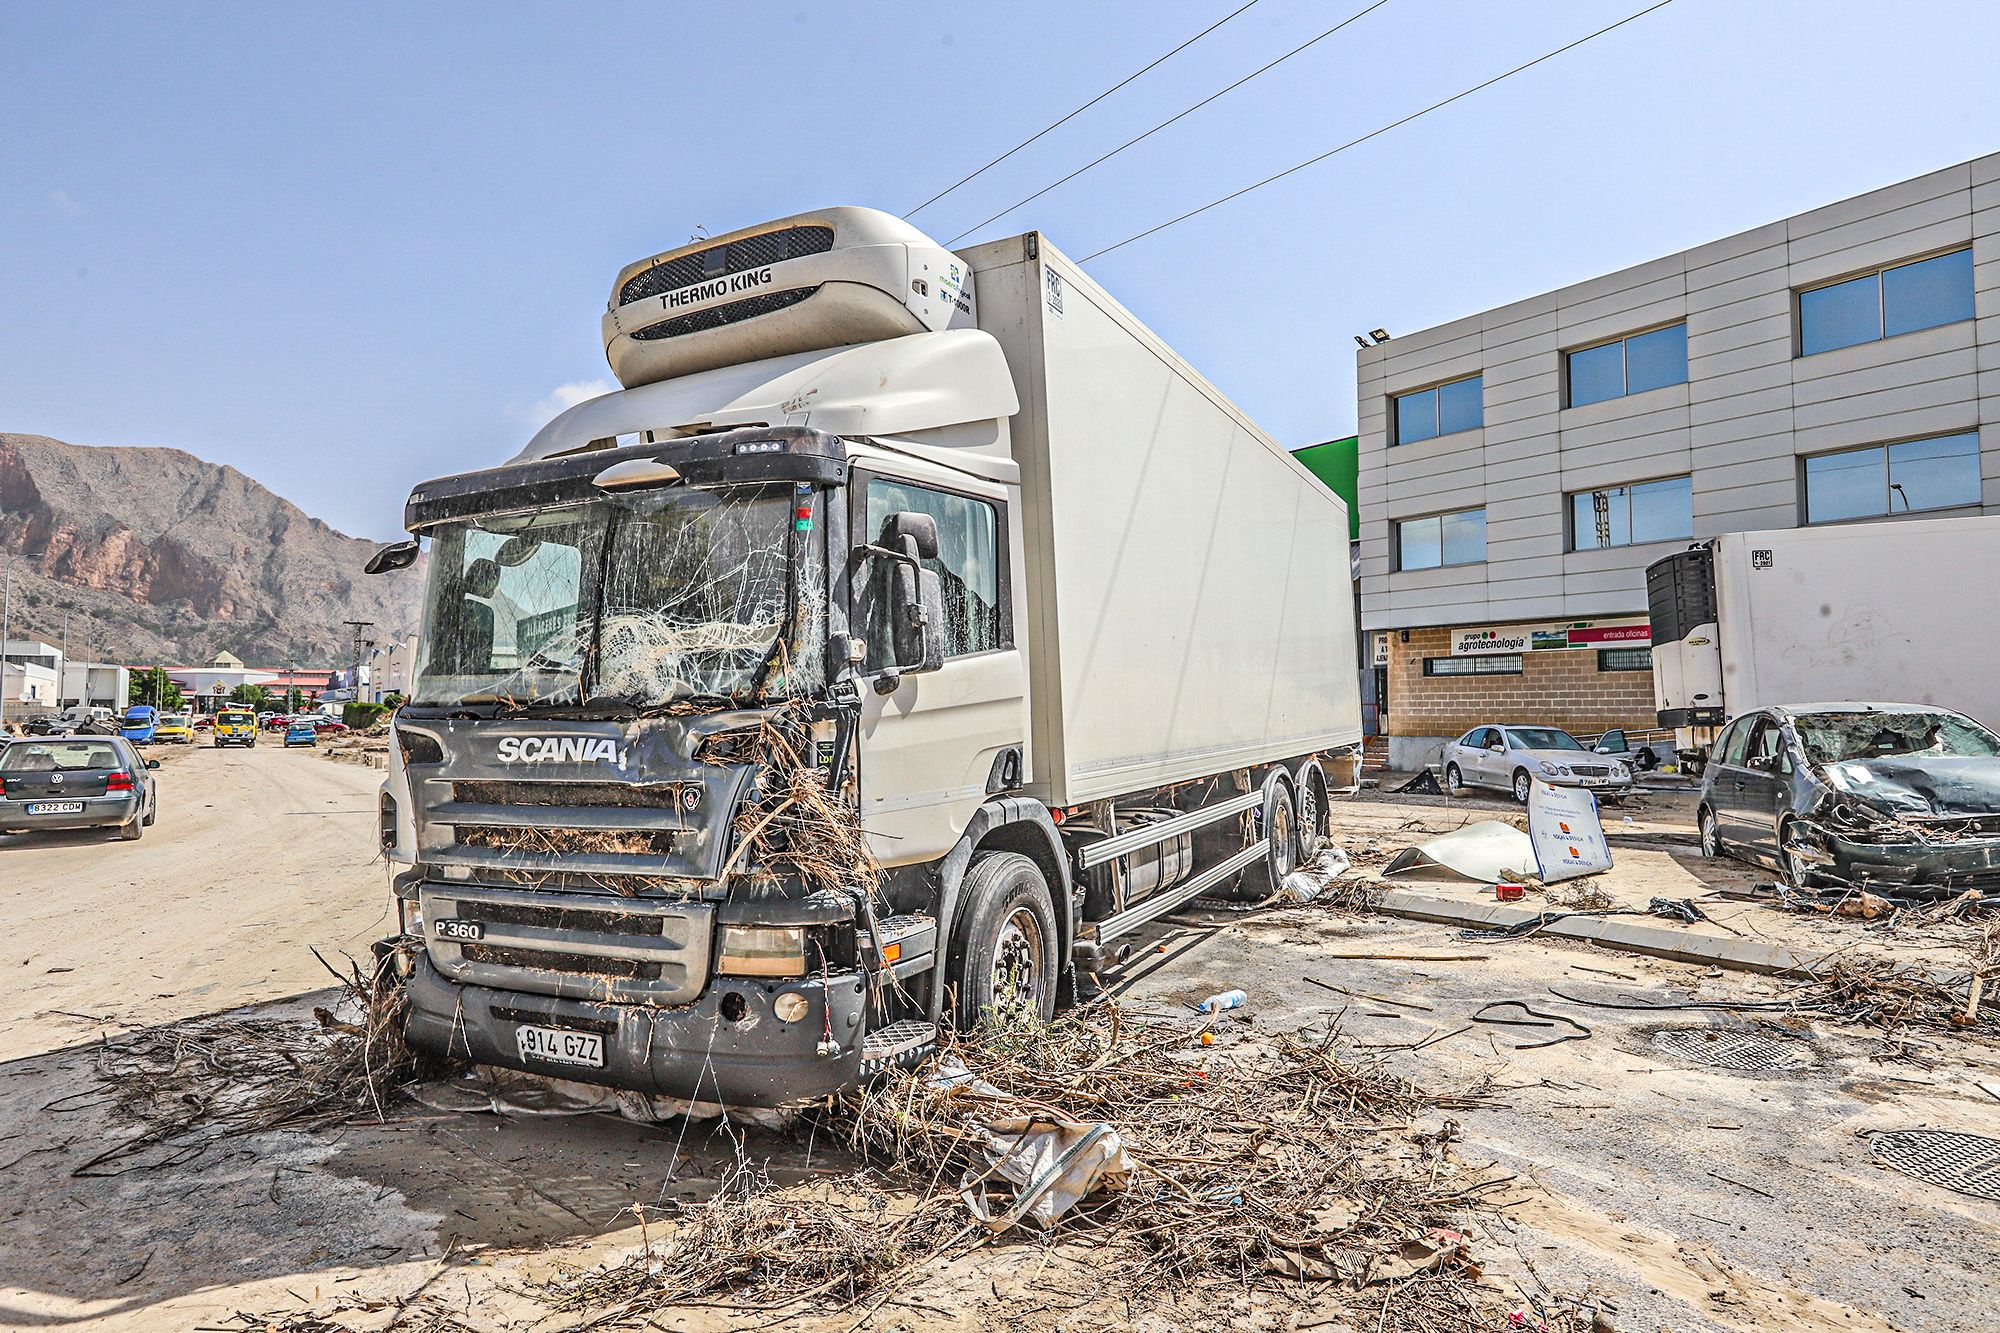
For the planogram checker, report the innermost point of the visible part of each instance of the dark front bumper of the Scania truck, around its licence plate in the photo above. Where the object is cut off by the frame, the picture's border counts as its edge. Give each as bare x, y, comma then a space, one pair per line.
711, 1052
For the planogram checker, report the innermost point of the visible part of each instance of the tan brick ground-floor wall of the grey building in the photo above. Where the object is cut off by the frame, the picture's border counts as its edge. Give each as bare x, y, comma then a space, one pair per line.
1557, 686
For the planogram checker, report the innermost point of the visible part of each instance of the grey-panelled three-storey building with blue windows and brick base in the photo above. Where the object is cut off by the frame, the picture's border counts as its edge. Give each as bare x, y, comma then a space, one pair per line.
1521, 467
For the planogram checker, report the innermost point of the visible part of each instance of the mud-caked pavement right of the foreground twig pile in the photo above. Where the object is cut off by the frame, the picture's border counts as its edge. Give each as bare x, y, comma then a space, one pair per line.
1679, 1196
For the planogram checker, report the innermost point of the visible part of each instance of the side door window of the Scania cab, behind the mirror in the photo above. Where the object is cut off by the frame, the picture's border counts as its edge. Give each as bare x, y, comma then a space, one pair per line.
967, 565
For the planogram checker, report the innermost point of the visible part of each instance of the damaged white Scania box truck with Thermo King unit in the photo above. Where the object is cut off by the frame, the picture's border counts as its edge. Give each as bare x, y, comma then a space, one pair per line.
1061, 623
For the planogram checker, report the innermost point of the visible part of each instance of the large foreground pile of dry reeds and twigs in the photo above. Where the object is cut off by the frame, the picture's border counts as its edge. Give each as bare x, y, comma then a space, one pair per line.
1257, 1166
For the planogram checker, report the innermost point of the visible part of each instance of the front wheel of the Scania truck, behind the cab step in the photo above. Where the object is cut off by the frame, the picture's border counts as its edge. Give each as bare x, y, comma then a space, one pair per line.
1005, 944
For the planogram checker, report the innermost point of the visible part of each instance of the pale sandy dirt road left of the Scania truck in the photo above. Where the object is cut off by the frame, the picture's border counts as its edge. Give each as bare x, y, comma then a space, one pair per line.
257, 858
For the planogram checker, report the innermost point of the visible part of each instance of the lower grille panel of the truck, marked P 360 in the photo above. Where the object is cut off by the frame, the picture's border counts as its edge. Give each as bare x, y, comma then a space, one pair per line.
613, 950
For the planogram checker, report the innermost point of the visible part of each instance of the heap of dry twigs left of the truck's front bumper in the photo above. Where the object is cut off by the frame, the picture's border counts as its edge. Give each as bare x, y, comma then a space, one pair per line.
191, 1082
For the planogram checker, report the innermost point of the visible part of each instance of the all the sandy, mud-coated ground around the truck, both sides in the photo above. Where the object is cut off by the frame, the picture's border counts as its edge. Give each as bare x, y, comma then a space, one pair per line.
1677, 1196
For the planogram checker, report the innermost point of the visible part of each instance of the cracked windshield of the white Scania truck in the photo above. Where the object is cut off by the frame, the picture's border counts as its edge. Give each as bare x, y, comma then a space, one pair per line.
691, 603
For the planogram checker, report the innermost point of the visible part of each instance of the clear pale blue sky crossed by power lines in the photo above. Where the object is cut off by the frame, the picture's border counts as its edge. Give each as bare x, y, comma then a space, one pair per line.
351, 247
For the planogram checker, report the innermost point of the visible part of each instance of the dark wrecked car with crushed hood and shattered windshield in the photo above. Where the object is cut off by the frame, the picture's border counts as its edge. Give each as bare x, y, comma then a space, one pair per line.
1901, 800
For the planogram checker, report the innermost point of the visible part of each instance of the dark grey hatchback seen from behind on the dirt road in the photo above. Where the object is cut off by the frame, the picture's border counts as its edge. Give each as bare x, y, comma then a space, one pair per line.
77, 784
